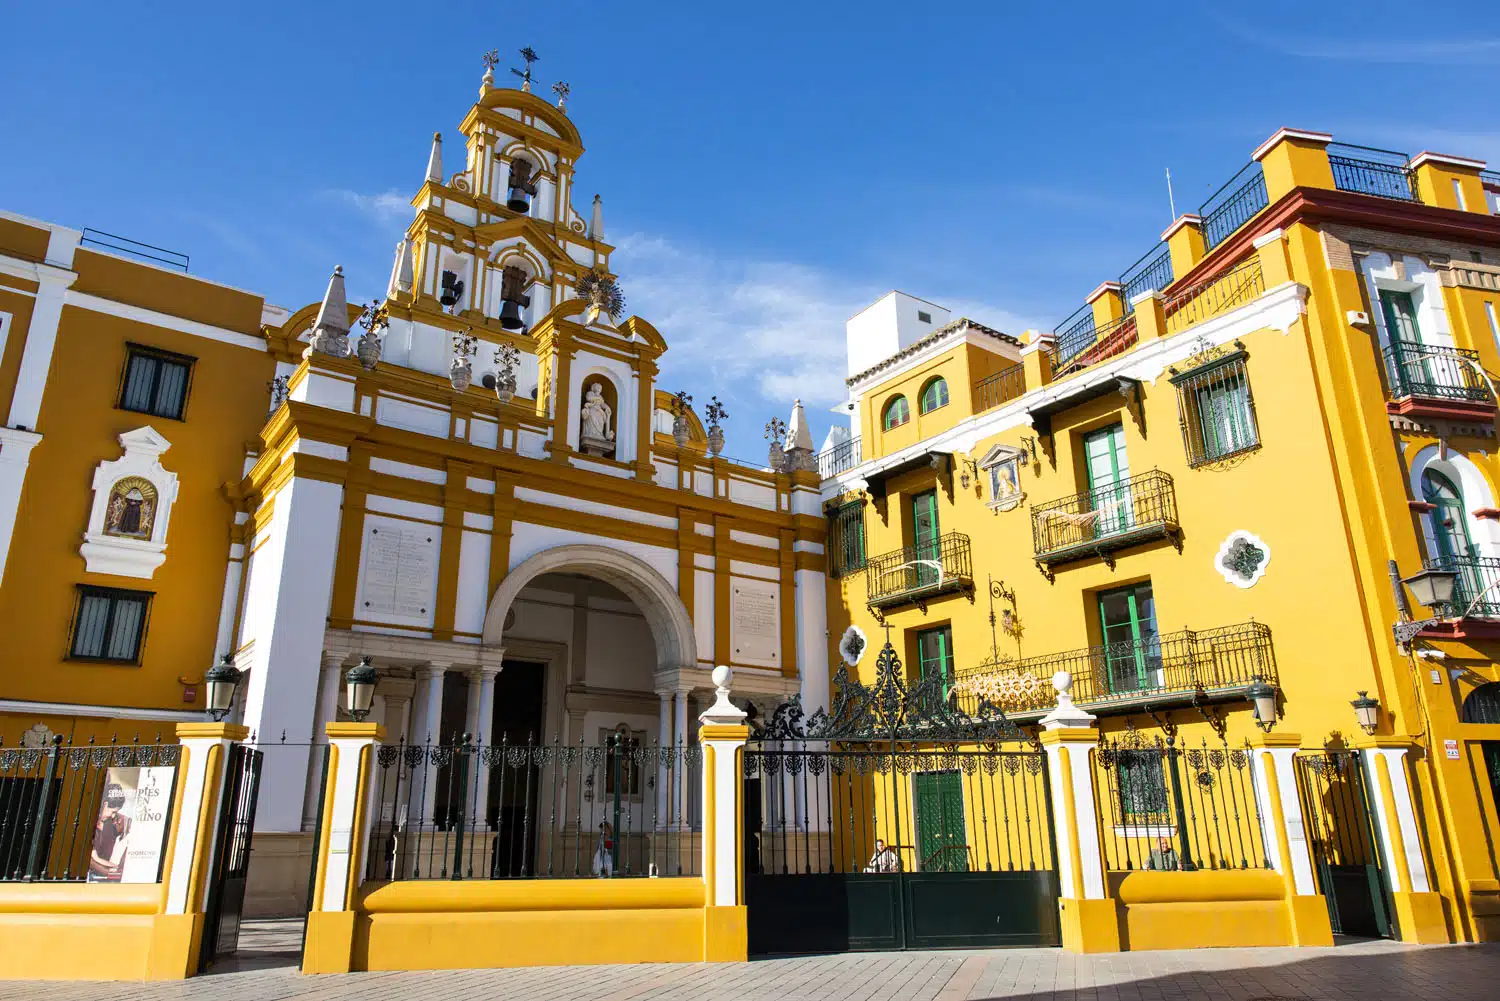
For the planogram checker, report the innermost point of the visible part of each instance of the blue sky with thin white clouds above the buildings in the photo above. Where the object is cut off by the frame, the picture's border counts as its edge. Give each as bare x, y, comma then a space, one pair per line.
767, 169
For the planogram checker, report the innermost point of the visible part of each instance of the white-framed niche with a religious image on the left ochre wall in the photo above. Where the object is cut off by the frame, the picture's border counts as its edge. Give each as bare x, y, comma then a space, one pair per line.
133, 508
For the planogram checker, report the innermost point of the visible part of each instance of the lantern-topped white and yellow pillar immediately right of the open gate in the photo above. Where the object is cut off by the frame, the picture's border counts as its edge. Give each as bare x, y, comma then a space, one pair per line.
340, 861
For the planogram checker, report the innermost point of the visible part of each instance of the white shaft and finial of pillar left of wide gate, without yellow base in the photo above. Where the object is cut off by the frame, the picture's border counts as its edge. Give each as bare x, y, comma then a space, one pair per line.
724, 736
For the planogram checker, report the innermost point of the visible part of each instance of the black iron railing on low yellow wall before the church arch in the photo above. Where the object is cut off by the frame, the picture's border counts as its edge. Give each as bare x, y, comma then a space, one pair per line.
512, 811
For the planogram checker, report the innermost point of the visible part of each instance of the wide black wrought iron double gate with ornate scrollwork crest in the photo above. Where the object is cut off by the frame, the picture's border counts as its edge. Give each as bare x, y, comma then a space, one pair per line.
896, 822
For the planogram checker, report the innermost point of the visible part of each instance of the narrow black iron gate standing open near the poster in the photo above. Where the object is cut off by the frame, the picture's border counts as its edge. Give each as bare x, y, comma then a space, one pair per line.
232, 855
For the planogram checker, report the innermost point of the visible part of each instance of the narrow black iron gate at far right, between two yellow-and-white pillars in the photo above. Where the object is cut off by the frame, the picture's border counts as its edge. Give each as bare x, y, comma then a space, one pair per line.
1345, 843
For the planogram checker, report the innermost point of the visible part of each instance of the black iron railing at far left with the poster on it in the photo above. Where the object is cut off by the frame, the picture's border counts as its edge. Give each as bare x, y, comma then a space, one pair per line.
70, 813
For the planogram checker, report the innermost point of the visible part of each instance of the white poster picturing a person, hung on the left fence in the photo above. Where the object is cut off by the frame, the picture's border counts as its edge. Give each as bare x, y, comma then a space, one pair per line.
131, 831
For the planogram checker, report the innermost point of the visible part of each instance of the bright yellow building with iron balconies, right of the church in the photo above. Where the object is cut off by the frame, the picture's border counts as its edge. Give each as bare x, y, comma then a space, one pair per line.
1201, 491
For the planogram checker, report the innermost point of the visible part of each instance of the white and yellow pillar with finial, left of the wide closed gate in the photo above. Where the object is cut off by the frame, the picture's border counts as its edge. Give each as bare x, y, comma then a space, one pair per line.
724, 735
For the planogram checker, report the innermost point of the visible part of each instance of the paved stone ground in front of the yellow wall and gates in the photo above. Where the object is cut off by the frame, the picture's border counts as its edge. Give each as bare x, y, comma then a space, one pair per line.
1361, 972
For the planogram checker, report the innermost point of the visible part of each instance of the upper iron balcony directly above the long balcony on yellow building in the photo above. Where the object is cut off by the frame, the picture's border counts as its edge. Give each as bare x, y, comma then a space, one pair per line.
1103, 522
